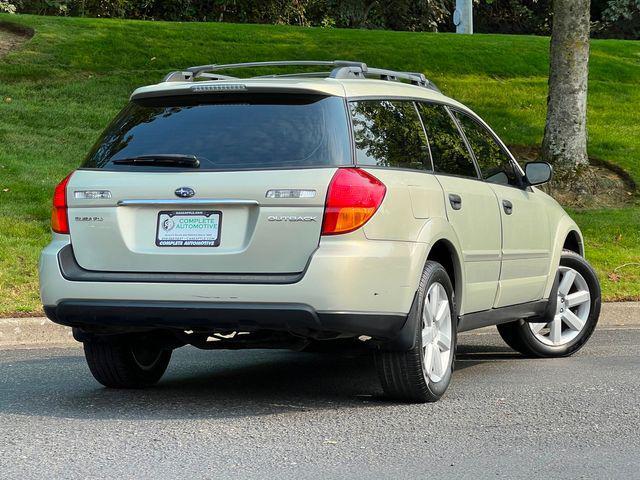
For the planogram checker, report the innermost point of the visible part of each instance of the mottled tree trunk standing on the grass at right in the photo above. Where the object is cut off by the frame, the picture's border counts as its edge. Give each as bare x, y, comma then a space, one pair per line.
565, 133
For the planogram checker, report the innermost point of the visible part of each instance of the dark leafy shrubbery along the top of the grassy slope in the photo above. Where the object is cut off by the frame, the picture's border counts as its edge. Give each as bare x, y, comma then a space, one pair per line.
611, 18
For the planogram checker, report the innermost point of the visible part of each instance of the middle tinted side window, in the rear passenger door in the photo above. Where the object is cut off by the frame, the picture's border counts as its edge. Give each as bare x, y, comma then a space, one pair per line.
449, 152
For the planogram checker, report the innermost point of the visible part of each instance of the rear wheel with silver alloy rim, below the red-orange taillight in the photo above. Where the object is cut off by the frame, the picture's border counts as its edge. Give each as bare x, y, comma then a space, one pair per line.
423, 373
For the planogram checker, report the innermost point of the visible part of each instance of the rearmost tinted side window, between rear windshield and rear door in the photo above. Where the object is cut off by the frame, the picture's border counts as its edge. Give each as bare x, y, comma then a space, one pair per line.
389, 134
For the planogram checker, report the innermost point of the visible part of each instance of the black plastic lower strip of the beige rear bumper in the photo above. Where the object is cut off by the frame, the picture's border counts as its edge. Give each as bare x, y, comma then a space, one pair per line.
300, 319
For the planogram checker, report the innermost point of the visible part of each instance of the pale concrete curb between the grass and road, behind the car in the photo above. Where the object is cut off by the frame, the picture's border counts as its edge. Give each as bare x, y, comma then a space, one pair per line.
41, 331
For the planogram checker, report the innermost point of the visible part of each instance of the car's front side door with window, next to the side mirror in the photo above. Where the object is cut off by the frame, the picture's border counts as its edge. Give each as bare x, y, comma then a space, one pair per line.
526, 243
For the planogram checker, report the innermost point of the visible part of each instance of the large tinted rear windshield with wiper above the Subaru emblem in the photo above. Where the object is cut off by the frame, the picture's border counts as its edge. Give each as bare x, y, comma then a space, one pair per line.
229, 133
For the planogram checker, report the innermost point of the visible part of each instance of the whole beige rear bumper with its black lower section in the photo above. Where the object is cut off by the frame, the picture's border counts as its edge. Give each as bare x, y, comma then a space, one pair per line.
352, 285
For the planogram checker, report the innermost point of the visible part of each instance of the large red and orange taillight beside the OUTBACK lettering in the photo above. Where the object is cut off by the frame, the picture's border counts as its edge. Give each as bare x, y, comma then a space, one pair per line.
353, 197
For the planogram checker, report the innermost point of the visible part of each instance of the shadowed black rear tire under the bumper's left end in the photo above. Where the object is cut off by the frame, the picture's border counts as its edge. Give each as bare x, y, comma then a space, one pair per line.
126, 363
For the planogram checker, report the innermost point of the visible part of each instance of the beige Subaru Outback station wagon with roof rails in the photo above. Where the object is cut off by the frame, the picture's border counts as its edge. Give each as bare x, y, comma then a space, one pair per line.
284, 211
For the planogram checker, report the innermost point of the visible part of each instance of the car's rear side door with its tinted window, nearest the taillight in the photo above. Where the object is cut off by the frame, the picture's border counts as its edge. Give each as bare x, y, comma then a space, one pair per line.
470, 204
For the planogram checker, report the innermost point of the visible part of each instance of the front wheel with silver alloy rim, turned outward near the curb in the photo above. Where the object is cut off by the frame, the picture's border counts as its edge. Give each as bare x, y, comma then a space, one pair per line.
568, 327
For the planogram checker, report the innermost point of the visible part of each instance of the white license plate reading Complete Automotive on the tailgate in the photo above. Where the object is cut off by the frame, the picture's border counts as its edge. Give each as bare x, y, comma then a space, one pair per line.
188, 229
